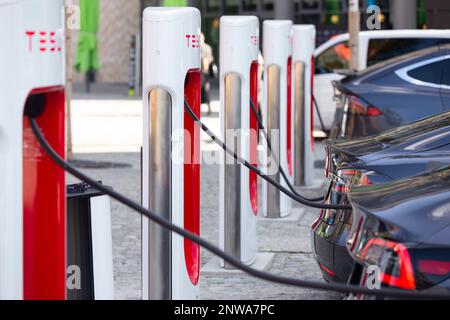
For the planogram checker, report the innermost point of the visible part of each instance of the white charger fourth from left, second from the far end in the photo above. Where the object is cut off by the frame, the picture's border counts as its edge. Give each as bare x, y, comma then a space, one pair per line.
277, 112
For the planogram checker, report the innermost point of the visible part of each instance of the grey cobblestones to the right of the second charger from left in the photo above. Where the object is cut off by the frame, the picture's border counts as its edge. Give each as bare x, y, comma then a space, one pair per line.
289, 240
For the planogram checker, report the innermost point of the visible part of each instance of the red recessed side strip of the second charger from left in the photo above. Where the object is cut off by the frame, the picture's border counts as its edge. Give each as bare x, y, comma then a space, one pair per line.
192, 92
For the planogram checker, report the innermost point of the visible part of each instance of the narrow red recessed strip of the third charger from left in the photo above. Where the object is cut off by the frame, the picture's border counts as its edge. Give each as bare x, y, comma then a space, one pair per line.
253, 178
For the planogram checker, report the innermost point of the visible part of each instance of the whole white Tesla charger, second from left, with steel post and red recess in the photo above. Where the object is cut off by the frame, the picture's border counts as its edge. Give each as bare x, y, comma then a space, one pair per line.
171, 185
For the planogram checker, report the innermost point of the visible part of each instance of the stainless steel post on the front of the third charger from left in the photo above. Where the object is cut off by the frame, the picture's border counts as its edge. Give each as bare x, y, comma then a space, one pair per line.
232, 243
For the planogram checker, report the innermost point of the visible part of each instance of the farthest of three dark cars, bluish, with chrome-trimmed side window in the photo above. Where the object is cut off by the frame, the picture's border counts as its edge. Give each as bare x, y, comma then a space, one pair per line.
393, 93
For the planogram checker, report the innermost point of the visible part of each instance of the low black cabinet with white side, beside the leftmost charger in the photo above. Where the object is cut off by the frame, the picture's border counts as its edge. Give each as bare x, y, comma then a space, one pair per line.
89, 244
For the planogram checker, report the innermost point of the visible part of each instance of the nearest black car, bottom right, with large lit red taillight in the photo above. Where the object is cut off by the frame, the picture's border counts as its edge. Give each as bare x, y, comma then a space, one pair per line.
403, 230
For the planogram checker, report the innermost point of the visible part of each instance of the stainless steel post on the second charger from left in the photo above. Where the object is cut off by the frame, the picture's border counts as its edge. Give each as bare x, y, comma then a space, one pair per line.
159, 194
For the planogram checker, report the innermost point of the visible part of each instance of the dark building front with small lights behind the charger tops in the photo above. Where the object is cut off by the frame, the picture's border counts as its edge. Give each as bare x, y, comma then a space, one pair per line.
329, 16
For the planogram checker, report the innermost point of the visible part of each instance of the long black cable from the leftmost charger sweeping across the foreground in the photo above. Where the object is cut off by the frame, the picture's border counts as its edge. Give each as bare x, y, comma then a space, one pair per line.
343, 288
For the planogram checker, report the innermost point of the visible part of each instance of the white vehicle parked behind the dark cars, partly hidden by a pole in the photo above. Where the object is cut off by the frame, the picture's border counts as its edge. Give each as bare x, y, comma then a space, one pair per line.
374, 47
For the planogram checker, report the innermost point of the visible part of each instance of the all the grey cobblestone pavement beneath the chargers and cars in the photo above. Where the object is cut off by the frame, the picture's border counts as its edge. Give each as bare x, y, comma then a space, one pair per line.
288, 240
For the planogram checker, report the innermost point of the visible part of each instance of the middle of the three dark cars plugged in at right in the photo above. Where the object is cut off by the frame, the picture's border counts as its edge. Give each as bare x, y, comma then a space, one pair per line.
404, 152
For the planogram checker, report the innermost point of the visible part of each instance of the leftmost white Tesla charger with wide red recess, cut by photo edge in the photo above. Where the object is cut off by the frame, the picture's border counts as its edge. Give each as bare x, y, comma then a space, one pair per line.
32, 187
